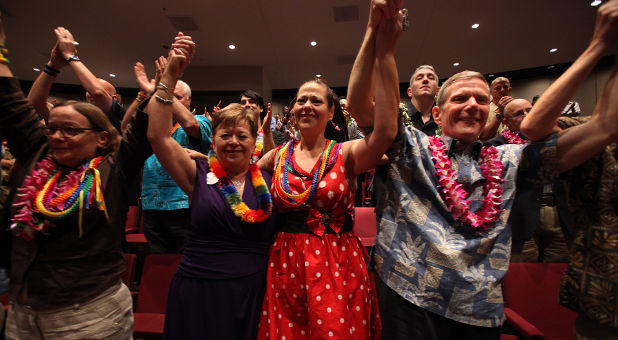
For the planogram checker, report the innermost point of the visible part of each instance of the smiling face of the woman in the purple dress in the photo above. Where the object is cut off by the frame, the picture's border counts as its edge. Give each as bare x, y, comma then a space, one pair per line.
234, 144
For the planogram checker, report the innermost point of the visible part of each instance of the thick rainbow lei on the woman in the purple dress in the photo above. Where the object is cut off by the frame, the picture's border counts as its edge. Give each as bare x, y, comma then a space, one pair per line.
232, 196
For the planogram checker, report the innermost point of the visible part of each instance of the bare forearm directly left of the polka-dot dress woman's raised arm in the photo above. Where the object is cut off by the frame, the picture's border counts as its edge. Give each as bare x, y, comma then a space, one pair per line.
361, 82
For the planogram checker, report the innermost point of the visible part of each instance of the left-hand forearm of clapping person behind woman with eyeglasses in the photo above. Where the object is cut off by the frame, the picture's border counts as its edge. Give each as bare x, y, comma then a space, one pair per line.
39, 92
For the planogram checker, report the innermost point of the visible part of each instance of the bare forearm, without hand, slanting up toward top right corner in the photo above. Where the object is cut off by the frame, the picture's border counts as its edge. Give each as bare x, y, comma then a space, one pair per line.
541, 120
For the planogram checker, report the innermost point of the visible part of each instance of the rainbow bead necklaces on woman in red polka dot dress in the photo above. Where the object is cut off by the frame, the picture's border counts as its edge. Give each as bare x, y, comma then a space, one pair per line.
285, 164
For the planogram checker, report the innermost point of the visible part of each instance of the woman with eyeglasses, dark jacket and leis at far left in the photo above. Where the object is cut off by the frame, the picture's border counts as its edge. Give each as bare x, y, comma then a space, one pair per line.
66, 220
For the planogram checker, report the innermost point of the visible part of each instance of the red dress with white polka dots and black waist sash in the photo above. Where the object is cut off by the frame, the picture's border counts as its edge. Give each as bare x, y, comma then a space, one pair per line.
317, 285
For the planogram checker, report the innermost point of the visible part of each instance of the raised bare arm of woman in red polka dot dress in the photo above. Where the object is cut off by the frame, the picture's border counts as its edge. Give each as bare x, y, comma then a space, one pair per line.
362, 155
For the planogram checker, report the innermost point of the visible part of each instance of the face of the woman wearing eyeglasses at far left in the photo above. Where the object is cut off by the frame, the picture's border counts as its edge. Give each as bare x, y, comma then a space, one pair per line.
71, 151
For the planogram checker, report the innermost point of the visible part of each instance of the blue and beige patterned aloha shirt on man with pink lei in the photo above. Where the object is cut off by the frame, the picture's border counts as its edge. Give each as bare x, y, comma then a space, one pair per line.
428, 257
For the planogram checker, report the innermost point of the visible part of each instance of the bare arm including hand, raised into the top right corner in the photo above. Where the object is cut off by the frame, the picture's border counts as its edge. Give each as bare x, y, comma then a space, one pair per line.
541, 121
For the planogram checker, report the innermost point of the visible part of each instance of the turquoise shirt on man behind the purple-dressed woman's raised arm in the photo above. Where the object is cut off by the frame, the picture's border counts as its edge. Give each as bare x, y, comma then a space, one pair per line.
159, 191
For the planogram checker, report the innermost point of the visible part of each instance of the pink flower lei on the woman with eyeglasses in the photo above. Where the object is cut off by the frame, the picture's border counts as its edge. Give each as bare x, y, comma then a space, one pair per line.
26, 222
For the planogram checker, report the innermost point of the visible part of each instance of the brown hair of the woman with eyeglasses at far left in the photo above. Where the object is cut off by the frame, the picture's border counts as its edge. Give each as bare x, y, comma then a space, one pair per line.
99, 121
